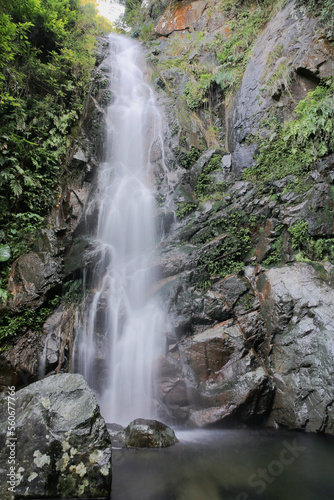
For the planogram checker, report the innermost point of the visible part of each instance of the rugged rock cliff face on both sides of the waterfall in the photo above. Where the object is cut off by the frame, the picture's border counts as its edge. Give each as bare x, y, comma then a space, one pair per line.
241, 268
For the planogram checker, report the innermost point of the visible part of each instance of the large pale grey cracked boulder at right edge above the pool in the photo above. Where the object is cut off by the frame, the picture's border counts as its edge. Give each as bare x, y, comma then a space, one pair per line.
297, 303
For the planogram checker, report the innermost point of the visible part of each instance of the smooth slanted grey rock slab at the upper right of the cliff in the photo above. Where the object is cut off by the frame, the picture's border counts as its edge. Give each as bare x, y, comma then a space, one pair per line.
300, 48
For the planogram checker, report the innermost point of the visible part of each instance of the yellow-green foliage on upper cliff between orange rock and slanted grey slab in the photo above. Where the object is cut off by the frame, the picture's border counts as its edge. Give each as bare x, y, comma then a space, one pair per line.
231, 50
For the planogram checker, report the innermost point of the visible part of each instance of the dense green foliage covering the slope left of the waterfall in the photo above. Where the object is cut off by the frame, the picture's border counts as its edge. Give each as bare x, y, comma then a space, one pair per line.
46, 59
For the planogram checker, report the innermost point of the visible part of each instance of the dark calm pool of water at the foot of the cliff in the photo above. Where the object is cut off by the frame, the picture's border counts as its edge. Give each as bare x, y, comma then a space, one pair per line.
228, 465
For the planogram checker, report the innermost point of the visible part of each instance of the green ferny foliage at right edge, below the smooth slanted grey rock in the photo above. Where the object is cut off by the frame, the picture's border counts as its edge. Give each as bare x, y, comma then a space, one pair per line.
292, 147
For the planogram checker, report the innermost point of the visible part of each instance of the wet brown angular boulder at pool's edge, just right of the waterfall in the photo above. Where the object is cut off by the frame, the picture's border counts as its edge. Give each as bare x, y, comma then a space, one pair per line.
228, 380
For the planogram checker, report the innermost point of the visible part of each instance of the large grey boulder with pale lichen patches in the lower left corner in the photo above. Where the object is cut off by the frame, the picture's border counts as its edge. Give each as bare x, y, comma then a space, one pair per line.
63, 448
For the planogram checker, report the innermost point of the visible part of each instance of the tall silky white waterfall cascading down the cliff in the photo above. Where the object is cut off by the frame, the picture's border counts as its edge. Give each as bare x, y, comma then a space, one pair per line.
118, 363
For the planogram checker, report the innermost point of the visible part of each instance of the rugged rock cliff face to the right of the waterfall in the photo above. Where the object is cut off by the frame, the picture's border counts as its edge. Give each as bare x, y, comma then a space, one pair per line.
253, 333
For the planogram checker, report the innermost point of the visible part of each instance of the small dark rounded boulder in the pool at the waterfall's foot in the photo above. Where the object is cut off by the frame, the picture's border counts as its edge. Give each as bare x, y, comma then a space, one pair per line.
145, 433
